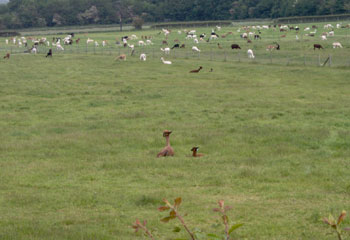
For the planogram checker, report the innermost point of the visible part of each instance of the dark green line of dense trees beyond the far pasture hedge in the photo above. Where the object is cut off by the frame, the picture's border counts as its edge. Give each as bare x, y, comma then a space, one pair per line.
42, 13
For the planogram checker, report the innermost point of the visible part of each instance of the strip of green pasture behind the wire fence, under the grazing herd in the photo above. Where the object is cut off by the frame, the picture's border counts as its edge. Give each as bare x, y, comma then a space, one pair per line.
293, 51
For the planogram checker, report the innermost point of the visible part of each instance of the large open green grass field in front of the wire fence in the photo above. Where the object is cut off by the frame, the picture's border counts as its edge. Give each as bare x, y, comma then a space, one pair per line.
80, 132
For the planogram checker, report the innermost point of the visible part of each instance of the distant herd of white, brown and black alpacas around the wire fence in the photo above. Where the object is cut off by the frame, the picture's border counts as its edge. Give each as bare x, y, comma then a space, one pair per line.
247, 33
